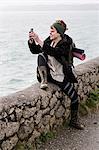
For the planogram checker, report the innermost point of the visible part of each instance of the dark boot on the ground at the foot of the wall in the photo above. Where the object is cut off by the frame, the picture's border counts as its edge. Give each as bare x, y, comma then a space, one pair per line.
74, 122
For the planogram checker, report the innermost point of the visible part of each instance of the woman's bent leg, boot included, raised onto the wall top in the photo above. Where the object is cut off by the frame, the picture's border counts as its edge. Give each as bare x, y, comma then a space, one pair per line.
42, 70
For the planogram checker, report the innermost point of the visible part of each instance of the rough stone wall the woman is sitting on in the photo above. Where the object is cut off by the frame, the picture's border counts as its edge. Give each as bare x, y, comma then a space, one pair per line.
28, 113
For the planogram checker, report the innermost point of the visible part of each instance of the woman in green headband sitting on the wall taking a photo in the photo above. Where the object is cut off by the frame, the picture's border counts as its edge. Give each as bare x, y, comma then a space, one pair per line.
55, 64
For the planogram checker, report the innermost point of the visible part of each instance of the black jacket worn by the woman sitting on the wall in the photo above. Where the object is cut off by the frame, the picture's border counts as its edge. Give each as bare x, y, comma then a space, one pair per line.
61, 52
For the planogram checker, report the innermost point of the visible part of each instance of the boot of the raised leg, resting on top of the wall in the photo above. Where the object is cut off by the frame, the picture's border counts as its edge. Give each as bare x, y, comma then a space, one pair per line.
43, 74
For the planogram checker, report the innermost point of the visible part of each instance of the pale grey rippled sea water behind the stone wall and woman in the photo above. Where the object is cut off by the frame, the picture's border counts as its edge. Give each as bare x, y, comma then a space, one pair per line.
17, 64
